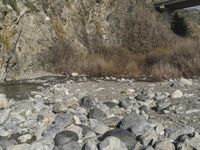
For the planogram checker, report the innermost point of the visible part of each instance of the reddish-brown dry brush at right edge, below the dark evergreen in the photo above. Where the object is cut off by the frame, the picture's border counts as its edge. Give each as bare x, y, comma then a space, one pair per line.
182, 60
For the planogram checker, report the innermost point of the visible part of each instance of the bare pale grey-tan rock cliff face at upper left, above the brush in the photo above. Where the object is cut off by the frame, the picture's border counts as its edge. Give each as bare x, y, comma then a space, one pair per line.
83, 23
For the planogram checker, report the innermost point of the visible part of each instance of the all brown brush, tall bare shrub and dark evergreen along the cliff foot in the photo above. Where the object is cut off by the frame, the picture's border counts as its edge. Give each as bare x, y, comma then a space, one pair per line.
150, 48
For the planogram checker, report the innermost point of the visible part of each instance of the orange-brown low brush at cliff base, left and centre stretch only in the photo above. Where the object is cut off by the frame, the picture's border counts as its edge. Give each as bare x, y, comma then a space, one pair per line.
104, 62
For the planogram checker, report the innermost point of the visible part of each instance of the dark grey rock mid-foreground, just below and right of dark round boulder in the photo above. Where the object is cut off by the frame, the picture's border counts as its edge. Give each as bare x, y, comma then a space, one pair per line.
96, 113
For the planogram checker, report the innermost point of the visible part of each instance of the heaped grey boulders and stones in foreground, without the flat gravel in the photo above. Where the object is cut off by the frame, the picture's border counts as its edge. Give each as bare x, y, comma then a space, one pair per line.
53, 119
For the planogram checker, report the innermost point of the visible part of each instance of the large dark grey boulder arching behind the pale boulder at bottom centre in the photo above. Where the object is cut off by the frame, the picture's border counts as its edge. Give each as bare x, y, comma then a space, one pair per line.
125, 136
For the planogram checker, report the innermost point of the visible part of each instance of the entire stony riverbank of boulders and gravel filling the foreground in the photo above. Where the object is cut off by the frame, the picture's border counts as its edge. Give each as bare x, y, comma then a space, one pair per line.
104, 114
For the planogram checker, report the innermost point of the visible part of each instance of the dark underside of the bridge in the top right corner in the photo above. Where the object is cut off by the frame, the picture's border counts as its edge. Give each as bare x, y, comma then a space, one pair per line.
172, 5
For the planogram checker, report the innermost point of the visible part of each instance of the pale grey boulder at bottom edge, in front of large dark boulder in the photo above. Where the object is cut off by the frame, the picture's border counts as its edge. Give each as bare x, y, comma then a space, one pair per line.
112, 143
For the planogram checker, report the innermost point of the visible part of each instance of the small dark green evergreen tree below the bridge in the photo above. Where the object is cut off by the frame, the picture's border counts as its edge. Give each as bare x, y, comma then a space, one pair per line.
179, 25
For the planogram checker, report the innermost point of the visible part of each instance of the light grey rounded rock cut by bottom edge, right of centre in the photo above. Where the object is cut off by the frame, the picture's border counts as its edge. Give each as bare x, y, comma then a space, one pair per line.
165, 144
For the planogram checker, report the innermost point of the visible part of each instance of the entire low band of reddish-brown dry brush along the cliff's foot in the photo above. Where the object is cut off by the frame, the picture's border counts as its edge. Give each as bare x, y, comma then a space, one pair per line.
162, 63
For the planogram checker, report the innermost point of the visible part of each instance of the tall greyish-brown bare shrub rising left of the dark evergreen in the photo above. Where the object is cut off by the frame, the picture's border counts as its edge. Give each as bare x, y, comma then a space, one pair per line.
145, 31
